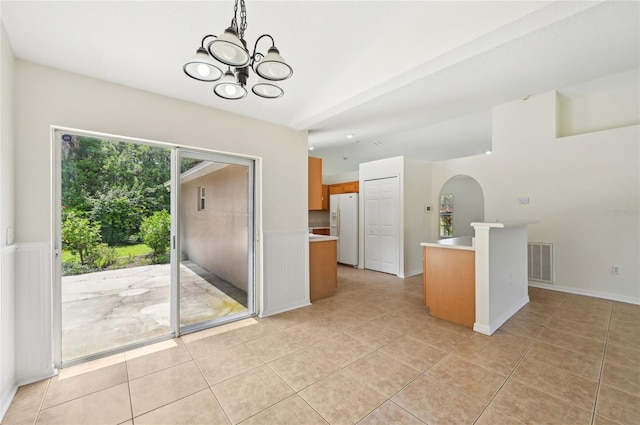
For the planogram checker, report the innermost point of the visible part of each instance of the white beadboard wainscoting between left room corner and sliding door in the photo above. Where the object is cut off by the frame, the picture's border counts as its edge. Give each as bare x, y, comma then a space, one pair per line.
34, 360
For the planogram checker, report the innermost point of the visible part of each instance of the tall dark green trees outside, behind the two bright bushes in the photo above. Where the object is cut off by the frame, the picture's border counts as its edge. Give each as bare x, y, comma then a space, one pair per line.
115, 183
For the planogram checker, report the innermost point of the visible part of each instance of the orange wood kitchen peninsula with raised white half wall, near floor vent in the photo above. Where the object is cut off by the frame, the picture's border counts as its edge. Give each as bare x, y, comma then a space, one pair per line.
488, 271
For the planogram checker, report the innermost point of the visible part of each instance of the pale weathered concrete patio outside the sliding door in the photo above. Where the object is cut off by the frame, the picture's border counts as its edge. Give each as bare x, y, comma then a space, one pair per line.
105, 310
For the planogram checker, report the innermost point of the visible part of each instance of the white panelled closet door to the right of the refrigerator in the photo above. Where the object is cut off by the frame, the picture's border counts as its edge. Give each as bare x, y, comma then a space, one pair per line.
381, 211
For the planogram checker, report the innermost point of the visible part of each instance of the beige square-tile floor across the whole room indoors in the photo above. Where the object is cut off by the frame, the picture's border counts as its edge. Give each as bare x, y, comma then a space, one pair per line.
369, 355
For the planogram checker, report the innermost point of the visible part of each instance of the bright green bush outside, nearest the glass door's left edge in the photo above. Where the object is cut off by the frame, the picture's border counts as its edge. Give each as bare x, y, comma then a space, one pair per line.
80, 235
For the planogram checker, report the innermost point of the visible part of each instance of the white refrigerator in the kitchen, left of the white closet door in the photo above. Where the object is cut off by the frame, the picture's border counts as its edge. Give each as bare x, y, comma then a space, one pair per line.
343, 222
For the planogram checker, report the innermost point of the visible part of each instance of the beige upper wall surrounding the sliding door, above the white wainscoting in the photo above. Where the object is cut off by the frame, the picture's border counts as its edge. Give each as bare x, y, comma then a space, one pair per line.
47, 96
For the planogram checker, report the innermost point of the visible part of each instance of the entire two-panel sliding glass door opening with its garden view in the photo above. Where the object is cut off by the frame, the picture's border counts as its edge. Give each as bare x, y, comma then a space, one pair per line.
150, 242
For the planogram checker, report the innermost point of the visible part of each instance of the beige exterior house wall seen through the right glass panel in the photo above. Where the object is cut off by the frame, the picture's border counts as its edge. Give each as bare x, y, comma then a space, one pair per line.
216, 238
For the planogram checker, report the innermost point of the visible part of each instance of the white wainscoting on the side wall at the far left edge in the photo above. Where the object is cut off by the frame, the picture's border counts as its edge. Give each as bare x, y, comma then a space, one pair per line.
8, 385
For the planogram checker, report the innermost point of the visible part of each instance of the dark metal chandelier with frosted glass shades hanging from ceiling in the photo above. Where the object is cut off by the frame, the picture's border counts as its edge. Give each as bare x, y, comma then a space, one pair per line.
231, 50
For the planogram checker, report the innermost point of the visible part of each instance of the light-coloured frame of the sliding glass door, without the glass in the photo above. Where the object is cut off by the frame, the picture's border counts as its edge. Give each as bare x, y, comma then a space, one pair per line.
175, 330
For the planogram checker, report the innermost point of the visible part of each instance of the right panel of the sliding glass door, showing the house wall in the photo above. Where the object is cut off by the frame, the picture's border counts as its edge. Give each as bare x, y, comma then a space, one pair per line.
216, 239
